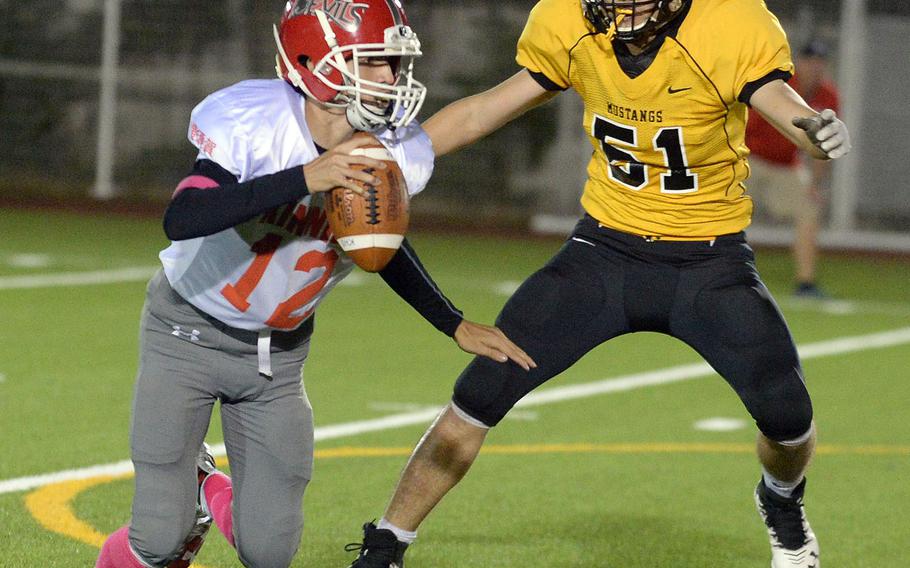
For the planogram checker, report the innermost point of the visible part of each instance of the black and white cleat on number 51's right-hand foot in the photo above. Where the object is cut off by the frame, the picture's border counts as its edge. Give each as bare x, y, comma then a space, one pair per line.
793, 544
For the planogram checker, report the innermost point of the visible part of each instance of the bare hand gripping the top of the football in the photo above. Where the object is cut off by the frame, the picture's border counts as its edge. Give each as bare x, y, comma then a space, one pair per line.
337, 168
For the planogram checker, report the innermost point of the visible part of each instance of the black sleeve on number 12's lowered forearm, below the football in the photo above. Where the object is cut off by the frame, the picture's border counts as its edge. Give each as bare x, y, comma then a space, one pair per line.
409, 279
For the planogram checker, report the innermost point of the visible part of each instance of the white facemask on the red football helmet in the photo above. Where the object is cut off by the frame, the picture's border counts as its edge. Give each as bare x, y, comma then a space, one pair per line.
370, 105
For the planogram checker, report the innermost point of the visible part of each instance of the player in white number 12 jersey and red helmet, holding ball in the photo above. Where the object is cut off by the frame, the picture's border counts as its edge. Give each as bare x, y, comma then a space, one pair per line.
230, 316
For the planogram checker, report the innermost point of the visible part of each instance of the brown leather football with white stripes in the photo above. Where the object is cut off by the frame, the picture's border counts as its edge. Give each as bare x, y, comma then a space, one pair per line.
370, 228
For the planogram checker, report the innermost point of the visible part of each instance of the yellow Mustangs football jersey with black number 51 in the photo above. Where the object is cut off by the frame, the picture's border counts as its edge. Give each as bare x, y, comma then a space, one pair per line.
669, 154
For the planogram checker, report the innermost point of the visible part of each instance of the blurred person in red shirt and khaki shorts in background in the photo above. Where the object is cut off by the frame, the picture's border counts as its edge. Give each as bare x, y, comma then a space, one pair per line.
784, 185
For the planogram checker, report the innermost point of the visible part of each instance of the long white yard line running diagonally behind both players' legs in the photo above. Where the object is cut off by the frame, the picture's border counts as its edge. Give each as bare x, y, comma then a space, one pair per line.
680, 373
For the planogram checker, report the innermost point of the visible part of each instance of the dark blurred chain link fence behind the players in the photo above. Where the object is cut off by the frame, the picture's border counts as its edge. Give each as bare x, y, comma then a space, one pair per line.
172, 53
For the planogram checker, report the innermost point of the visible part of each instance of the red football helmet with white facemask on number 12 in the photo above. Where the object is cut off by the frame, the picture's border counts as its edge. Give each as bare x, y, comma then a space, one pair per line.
333, 36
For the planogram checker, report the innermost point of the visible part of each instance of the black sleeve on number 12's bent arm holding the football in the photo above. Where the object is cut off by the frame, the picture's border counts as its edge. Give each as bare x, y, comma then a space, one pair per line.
197, 212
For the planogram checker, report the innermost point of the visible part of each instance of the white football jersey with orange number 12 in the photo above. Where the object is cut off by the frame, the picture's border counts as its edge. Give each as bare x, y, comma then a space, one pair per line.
272, 271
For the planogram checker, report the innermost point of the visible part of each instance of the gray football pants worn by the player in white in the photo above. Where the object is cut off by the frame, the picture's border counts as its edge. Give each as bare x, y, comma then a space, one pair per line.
187, 362
